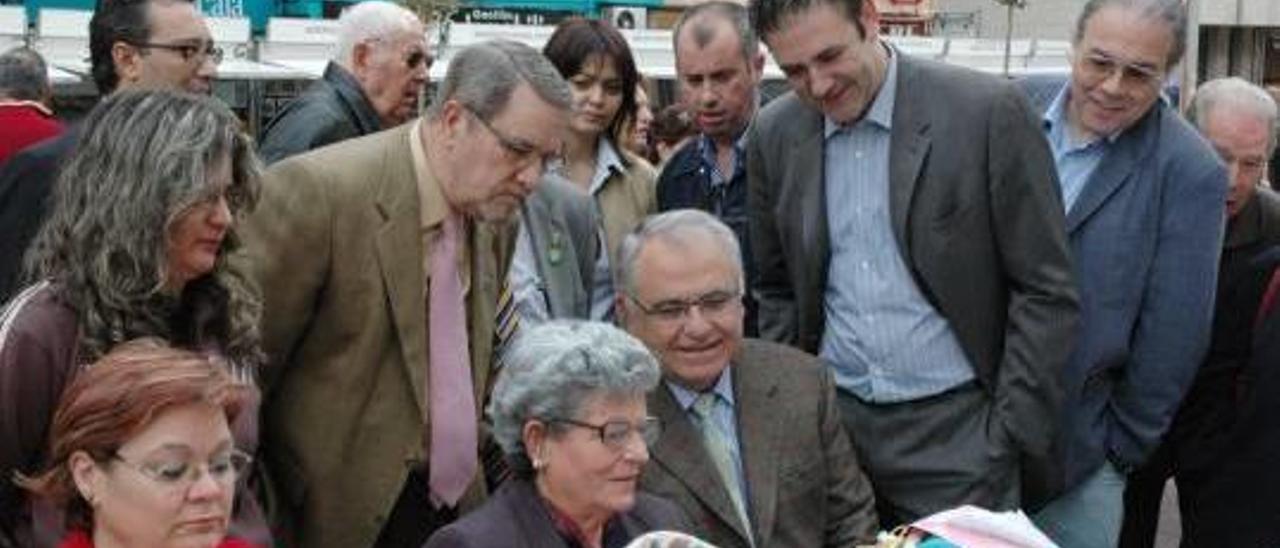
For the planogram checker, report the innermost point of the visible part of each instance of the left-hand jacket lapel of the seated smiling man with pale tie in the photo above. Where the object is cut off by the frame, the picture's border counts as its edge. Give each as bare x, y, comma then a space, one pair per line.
682, 454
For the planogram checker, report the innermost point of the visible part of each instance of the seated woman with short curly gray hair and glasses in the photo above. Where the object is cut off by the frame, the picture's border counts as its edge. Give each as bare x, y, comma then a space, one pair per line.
569, 412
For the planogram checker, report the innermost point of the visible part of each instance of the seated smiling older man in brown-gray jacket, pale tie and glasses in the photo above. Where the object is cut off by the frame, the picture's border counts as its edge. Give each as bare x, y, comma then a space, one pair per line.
753, 449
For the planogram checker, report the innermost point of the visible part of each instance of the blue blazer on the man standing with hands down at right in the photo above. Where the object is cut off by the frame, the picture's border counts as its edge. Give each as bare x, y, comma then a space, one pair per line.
1146, 235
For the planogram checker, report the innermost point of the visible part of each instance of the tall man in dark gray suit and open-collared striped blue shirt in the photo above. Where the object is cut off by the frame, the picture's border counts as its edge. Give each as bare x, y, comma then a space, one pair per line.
909, 230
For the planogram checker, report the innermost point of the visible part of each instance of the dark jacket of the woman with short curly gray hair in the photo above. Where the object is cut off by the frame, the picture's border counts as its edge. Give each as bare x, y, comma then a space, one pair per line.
516, 518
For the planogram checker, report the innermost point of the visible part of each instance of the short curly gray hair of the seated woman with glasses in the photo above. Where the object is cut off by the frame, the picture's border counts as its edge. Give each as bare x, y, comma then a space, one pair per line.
556, 368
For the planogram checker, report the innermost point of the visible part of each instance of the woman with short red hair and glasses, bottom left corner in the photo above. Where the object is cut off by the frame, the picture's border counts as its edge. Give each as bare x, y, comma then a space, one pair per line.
141, 454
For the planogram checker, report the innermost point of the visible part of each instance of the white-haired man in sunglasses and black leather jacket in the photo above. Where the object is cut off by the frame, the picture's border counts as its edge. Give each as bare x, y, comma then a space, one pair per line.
373, 84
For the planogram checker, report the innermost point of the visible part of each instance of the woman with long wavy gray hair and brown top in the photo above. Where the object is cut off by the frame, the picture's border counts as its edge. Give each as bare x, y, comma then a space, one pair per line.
140, 226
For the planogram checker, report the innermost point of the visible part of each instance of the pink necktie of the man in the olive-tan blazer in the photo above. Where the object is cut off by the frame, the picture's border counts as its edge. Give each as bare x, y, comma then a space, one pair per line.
454, 413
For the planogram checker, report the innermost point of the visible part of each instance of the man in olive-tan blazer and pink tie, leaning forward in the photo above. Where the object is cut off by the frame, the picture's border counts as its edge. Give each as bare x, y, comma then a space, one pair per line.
341, 250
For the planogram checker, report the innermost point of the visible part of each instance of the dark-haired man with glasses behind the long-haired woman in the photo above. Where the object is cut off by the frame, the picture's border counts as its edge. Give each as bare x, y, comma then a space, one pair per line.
134, 44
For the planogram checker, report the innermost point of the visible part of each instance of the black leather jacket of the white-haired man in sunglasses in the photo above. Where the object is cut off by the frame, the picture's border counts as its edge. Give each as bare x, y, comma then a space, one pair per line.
333, 109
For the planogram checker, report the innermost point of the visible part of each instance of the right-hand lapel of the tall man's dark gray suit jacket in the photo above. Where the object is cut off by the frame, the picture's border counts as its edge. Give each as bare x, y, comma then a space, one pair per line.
909, 145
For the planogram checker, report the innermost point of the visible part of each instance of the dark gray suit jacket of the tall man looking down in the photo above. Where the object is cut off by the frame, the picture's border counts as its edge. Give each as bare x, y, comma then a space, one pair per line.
977, 214
